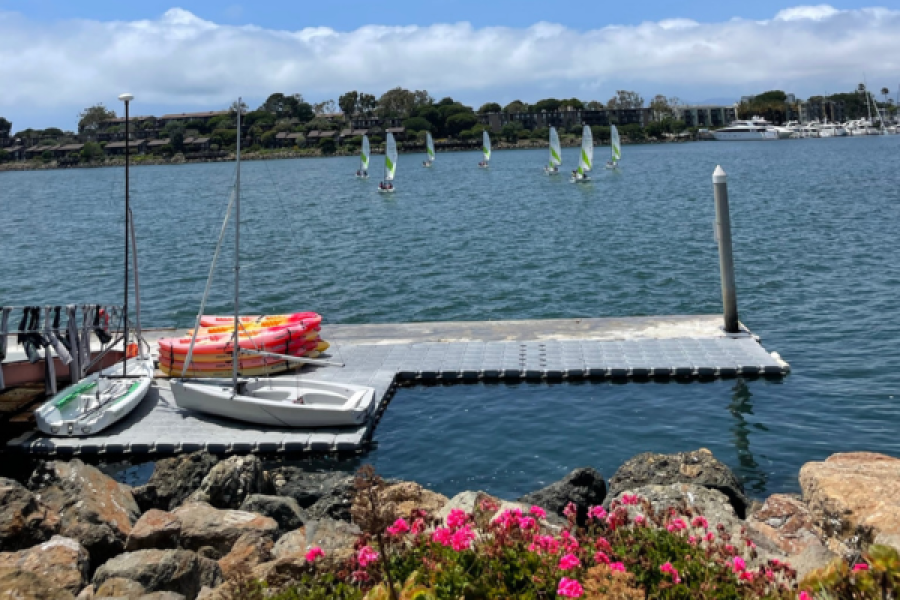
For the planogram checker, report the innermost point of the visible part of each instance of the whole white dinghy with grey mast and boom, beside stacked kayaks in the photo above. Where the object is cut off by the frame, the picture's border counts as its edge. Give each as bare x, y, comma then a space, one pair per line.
278, 401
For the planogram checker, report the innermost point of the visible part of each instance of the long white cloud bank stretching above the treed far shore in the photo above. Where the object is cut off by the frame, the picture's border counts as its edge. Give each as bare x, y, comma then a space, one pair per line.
180, 60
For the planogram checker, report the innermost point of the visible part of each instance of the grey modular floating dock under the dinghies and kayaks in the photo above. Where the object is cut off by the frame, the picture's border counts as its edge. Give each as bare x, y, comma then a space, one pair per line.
384, 356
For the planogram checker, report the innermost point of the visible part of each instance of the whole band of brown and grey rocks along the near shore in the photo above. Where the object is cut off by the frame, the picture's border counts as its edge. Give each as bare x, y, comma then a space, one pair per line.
199, 522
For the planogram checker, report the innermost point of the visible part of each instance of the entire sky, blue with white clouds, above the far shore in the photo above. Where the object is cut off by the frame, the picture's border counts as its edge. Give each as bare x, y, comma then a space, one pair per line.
59, 56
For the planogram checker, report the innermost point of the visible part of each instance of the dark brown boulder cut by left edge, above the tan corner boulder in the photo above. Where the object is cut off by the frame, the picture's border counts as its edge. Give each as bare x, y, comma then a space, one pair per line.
24, 520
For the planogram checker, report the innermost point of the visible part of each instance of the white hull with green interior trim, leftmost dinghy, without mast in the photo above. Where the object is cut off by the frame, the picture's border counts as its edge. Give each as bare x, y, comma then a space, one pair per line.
71, 414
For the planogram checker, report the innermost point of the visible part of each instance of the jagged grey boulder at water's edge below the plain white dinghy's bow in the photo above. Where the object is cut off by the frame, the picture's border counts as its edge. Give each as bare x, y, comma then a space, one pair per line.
230, 481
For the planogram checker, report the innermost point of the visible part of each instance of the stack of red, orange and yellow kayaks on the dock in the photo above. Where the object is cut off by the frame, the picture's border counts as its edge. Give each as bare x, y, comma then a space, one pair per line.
296, 334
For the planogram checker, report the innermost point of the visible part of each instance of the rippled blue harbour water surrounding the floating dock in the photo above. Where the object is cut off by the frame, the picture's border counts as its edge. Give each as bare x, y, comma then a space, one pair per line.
815, 228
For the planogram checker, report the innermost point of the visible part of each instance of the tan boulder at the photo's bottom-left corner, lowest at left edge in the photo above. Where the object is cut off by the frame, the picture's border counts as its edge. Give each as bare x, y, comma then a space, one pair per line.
63, 562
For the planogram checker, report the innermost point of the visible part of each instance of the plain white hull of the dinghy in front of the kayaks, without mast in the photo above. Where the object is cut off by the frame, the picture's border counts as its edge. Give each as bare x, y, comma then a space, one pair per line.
278, 402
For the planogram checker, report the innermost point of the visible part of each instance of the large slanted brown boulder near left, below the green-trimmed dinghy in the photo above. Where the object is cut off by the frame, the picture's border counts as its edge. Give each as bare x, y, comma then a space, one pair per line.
94, 509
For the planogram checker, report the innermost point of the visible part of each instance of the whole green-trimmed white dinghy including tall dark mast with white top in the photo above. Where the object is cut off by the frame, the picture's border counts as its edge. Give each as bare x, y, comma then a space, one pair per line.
100, 399
